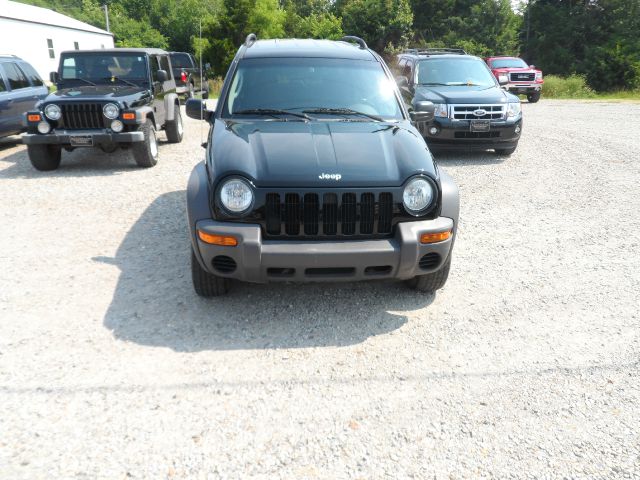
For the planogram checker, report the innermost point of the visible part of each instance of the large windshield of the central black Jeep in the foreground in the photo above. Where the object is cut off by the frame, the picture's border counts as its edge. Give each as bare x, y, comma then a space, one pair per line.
311, 84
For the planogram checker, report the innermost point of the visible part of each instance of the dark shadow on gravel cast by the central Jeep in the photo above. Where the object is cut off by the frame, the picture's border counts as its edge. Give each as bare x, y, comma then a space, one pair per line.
154, 302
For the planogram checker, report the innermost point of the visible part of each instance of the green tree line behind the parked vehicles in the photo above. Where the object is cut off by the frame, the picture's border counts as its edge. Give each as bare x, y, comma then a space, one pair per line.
594, 38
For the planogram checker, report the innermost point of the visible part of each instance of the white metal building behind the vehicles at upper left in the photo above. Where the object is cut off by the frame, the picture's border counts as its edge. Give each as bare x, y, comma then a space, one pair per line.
38, 35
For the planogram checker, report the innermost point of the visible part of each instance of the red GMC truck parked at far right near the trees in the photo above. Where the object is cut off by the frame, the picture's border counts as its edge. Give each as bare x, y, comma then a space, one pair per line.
517, 77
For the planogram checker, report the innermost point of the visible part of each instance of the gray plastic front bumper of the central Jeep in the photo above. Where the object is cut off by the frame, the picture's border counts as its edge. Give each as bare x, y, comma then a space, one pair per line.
264, 261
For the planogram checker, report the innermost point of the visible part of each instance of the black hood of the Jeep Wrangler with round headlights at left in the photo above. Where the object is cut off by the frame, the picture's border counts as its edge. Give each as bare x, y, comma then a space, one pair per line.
126, 95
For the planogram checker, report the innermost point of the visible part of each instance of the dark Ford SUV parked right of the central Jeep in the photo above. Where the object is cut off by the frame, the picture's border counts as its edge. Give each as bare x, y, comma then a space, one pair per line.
472, 111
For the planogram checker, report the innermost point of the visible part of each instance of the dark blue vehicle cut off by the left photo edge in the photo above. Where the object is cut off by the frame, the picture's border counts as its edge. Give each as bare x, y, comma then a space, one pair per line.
20, 89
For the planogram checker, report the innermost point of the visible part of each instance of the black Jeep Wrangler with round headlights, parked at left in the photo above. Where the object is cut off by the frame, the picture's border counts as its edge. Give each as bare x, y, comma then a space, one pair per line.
107, 99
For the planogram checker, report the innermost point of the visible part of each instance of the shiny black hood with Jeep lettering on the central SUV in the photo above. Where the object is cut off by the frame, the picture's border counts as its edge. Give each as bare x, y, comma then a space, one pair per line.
320, 154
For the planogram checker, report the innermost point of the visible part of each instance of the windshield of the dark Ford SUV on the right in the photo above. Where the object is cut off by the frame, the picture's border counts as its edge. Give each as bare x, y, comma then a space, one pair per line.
458, 72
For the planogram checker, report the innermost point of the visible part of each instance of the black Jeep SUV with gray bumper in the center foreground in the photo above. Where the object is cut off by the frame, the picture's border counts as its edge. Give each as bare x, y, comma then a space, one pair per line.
314, 172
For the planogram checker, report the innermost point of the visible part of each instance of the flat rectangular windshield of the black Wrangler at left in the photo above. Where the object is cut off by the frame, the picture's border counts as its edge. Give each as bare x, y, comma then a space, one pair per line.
102, 68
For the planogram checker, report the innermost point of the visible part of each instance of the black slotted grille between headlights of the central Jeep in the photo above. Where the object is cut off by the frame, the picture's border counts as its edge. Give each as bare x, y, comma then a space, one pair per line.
328, 214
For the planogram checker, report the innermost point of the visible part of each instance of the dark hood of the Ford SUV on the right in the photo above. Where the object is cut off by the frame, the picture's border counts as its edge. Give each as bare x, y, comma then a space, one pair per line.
463, 95
